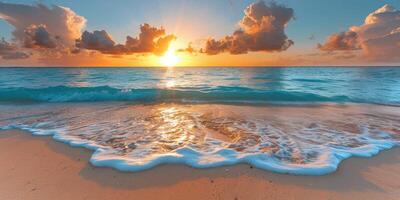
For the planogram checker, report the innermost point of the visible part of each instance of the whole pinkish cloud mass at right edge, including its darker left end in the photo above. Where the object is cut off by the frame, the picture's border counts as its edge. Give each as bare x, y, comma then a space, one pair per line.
378, 37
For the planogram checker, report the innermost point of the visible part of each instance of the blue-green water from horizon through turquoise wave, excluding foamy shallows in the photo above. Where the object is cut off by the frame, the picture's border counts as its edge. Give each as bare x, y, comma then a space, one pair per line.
379, 85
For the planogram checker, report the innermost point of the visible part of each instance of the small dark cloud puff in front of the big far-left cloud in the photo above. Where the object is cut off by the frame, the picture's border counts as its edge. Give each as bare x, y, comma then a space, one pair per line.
39, 37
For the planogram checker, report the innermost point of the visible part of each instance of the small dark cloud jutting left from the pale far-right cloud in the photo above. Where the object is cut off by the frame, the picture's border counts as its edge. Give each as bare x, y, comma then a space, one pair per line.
341, 41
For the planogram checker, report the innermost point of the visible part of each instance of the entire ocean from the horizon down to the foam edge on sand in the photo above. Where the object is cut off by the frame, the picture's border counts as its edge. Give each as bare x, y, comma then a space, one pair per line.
299, 120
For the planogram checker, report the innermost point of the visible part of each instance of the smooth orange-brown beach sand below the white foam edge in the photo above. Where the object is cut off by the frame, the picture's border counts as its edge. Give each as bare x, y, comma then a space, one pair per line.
35, 167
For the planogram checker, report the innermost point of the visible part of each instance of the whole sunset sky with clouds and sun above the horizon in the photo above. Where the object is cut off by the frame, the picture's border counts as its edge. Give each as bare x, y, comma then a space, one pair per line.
199, 33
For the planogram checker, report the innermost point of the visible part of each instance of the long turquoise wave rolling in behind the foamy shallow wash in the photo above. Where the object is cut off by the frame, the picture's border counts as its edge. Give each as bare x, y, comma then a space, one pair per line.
214, 95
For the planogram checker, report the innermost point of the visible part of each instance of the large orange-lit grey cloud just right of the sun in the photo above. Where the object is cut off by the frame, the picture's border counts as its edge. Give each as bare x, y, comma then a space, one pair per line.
261, 29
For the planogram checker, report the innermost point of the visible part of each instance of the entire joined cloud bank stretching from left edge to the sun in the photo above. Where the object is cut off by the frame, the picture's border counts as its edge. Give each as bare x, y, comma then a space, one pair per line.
56, 33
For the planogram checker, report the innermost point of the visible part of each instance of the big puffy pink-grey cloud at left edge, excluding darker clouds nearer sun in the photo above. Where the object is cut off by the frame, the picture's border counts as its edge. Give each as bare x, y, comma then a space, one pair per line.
49, 31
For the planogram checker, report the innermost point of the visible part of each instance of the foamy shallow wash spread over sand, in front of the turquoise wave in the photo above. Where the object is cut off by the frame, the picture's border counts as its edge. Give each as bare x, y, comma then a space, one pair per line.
303, 140
